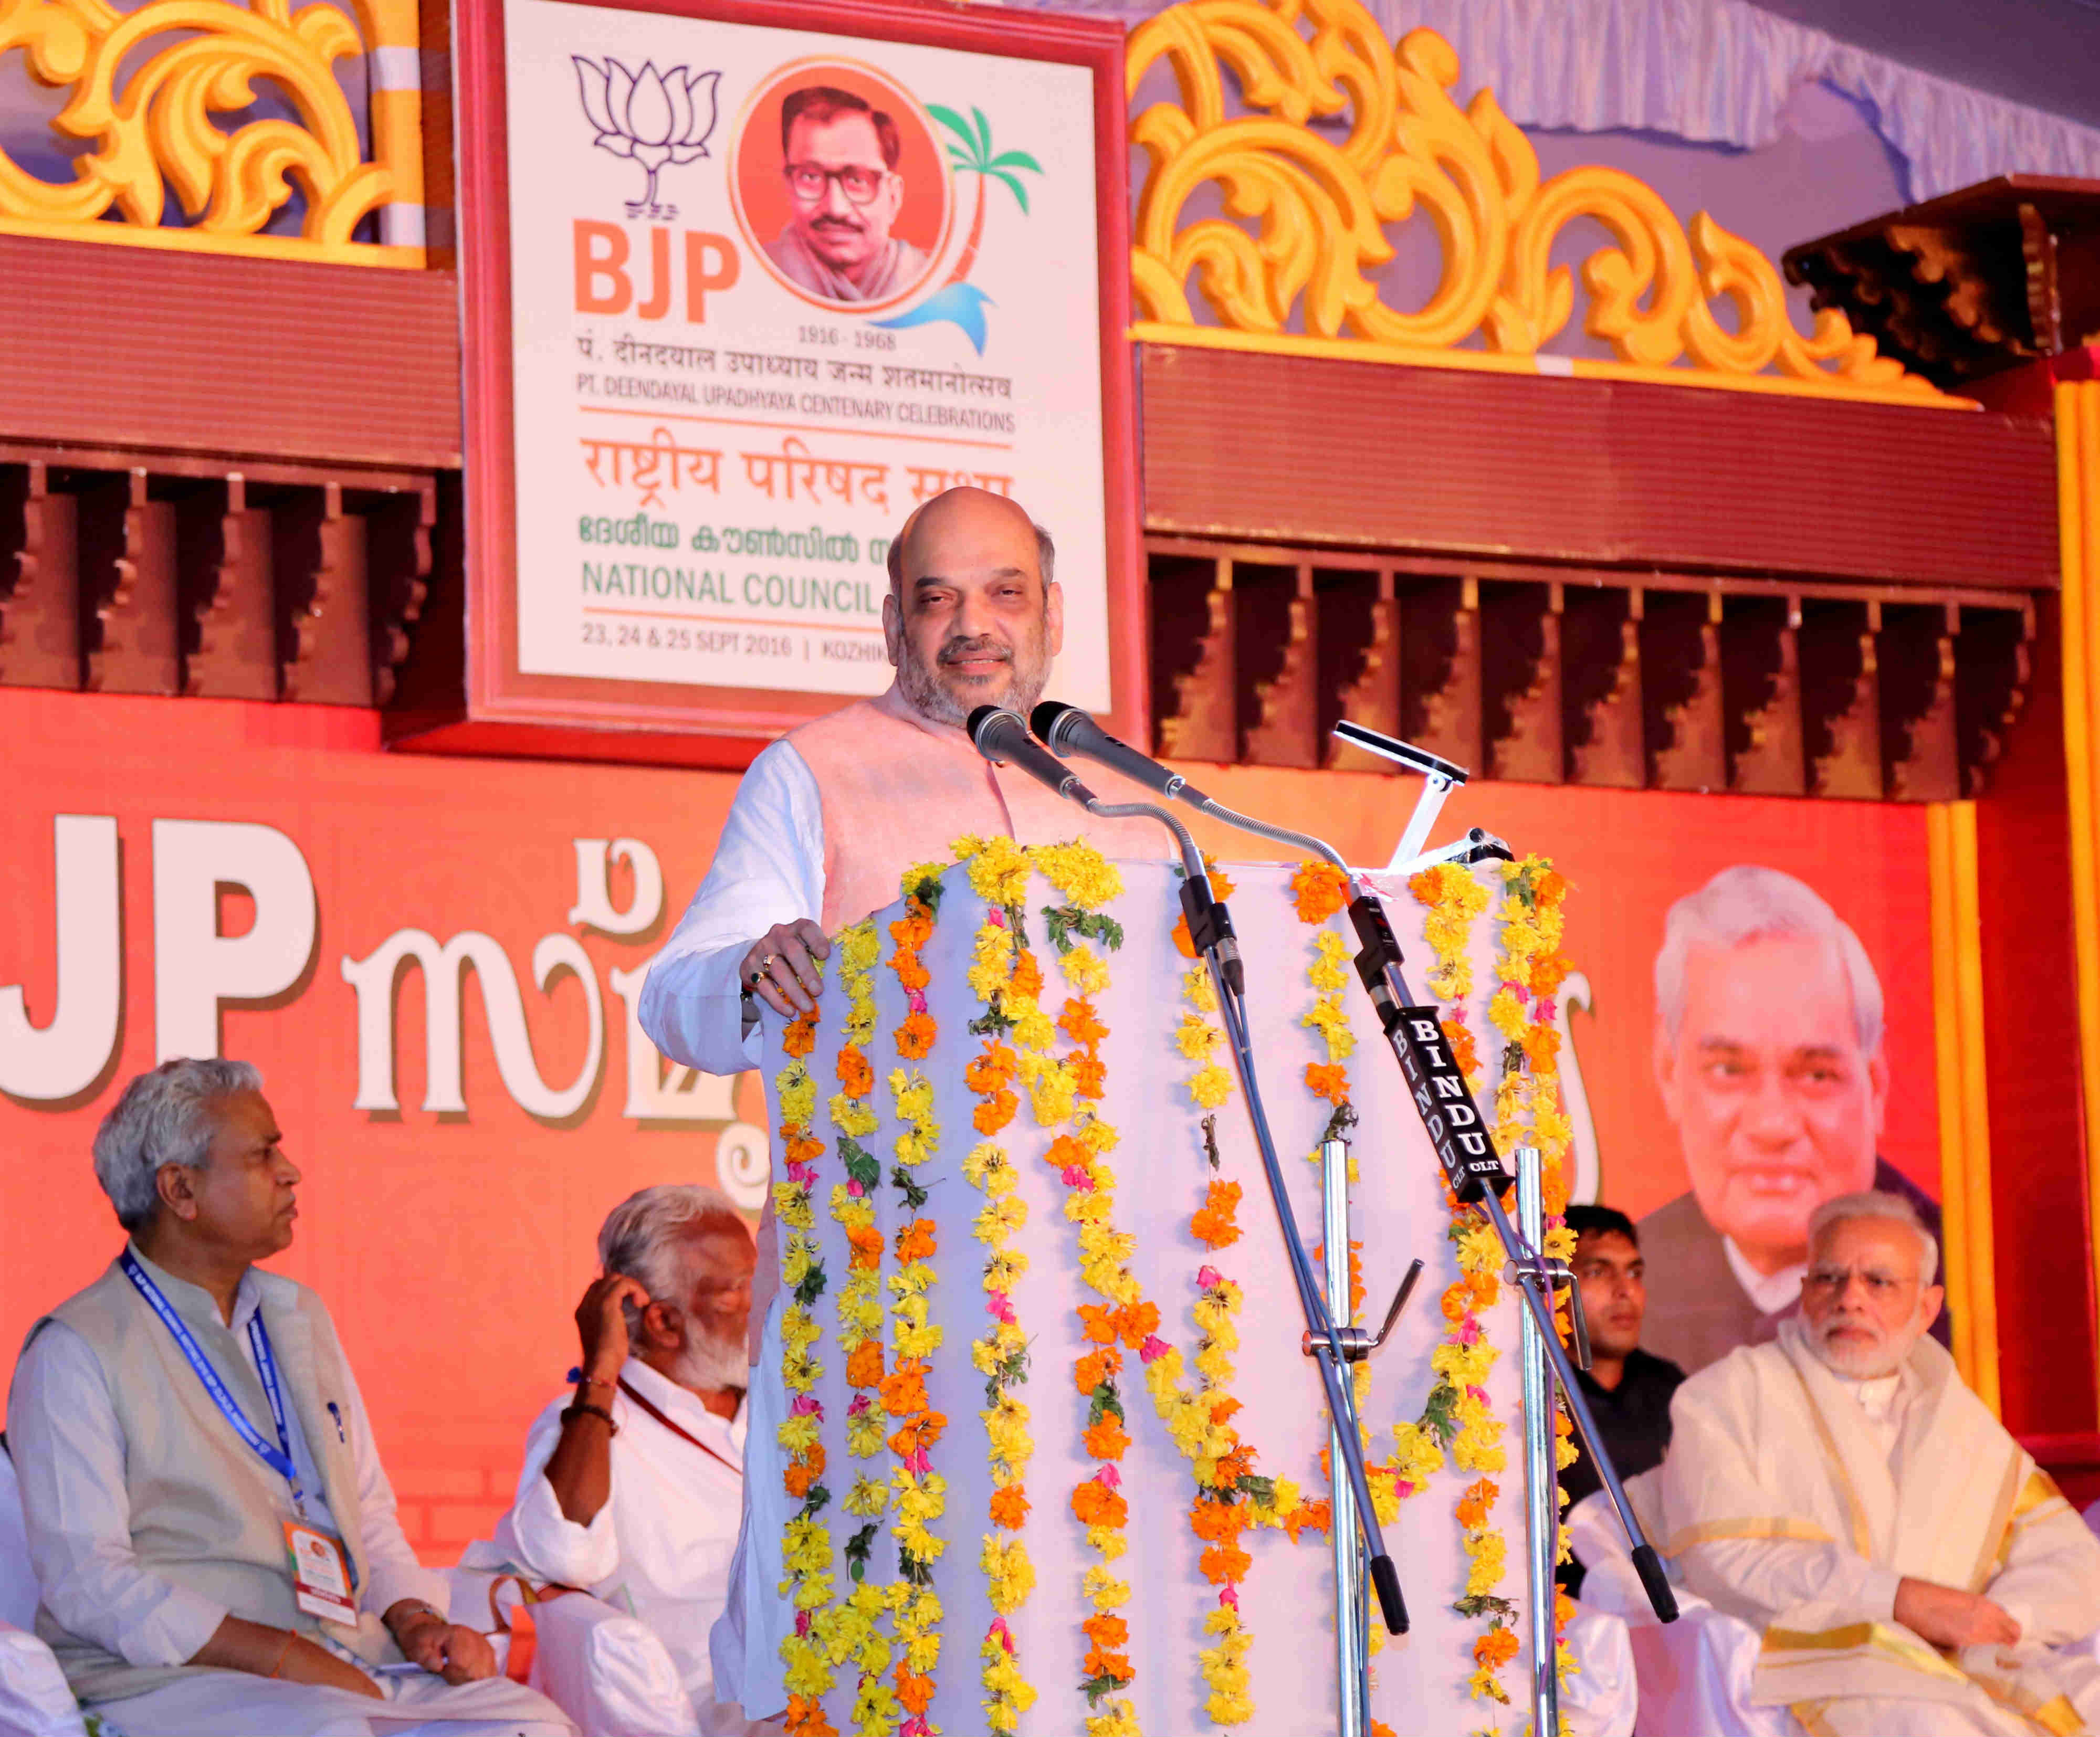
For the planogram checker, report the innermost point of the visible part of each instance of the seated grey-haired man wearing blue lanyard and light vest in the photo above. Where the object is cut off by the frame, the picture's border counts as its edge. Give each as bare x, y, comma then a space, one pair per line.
211, 1530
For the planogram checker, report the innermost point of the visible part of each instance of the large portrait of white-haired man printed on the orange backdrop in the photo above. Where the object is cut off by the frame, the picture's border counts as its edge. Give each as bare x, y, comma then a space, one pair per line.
1773, 1074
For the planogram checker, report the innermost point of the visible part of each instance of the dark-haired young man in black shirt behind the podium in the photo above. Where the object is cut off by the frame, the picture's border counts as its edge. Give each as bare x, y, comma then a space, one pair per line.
1626, 1387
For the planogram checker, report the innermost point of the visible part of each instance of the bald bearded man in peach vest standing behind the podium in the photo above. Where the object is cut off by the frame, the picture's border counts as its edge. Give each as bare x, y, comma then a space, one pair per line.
820, 837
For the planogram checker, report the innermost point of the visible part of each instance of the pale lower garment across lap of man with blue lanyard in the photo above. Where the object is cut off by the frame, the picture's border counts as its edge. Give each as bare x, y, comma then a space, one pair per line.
236, 1704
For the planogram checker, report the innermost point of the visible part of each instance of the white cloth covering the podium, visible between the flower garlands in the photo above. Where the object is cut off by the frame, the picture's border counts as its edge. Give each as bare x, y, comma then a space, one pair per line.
1162, 1175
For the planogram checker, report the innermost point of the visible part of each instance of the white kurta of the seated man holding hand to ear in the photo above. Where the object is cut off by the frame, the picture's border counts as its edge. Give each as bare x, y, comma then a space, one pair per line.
660, 1547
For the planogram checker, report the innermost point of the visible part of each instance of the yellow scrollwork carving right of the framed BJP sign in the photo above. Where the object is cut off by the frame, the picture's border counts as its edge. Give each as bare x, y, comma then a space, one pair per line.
1320, 207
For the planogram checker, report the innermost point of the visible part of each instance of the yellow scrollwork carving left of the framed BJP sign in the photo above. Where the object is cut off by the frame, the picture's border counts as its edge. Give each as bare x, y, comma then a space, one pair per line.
152, 125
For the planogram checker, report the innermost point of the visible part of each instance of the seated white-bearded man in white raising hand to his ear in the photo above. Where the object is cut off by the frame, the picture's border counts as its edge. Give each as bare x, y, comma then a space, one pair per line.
635, 1488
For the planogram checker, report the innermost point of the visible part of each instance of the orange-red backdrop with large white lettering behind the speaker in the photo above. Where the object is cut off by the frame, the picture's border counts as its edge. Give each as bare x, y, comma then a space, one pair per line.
453, 1249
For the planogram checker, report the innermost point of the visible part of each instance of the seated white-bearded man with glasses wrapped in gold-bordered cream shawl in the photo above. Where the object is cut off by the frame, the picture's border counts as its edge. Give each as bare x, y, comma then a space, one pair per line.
1912, 1570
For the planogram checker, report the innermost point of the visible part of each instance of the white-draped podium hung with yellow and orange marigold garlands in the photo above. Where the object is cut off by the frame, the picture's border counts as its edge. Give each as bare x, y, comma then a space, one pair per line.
923, 1150
